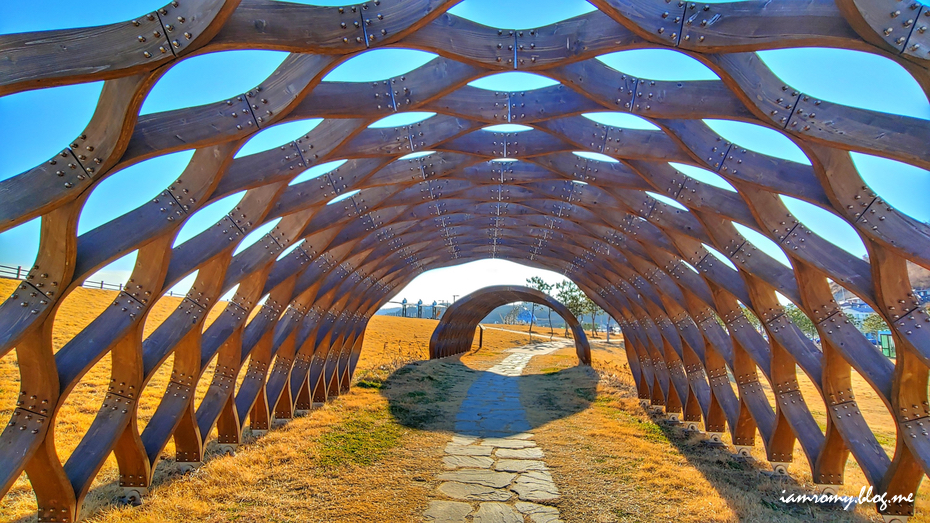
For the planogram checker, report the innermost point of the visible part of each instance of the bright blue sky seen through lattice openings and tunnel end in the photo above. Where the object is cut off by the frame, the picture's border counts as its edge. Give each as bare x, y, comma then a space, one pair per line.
48, 119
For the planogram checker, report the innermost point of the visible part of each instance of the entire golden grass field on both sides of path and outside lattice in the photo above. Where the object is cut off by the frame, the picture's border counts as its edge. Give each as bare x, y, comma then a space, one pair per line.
370, 455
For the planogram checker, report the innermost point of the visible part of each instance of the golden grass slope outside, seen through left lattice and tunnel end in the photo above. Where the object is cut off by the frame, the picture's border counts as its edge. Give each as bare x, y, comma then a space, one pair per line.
389, 343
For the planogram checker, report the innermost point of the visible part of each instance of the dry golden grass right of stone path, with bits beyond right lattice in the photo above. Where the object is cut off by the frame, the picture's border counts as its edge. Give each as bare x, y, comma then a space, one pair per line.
613, 463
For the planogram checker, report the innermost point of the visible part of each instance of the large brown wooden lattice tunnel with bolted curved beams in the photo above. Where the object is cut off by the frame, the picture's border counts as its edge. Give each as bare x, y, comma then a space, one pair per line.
646, 263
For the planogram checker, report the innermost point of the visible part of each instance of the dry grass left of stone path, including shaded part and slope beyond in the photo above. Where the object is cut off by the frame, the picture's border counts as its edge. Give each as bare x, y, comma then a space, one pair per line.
369, 455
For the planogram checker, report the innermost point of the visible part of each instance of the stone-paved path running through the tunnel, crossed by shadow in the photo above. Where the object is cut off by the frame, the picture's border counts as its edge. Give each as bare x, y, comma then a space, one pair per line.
495, 473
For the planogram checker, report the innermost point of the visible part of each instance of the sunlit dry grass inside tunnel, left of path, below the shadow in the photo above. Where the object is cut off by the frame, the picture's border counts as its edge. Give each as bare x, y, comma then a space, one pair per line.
299, 473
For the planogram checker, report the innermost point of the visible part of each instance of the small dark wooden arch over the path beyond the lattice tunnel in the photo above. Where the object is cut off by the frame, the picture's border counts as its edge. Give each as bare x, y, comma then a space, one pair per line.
456, 330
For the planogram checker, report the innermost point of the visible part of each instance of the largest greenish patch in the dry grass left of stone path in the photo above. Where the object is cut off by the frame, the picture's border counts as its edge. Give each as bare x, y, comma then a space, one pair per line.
362, 439
